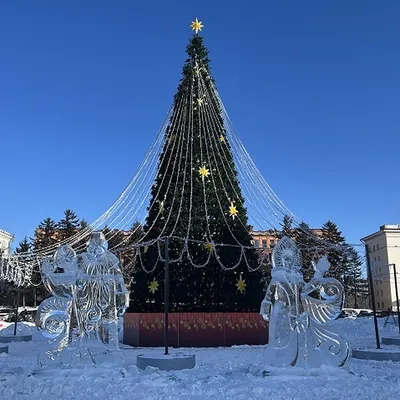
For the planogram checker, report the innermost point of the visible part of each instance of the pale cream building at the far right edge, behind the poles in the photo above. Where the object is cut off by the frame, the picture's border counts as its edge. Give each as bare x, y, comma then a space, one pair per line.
384, 253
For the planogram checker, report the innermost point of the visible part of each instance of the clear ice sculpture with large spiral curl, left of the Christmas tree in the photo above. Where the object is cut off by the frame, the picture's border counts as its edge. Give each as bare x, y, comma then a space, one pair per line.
88, 296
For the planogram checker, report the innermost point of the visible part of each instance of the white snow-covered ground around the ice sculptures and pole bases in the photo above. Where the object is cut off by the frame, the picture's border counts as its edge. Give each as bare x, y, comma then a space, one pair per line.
220, 373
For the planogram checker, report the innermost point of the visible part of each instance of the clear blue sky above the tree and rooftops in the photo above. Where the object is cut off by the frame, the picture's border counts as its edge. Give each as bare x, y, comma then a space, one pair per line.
312, 88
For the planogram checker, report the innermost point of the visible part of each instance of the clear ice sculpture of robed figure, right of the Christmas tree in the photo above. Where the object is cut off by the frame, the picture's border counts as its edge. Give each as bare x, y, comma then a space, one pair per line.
299, 311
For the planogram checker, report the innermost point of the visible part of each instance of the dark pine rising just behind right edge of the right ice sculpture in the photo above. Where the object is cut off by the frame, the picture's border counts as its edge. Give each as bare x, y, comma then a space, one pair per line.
336, 254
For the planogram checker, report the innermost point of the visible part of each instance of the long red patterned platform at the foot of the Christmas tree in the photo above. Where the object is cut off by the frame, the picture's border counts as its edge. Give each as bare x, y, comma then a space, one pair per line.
195, 329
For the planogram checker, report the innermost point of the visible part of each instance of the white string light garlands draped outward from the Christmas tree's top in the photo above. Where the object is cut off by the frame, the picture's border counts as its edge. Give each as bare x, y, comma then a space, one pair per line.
173, 149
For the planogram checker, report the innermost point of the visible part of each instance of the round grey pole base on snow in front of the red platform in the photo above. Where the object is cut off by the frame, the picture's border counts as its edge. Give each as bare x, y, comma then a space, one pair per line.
172, 362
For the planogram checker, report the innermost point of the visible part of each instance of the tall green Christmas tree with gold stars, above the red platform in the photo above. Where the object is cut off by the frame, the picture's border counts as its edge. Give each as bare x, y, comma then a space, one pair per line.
197, 202
